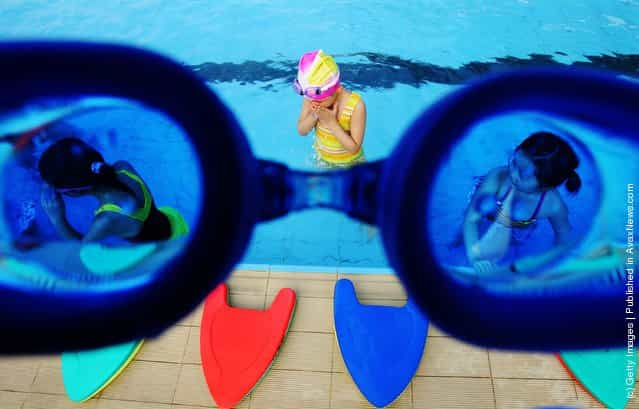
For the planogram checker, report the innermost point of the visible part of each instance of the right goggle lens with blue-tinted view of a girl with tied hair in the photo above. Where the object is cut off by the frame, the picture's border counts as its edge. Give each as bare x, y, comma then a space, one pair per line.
519, 201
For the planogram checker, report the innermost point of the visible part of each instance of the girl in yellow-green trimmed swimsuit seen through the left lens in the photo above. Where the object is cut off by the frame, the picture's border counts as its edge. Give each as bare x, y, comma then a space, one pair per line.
72, 168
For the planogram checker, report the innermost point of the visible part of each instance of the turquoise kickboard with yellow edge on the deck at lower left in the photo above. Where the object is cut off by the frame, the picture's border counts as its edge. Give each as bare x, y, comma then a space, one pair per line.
85, 373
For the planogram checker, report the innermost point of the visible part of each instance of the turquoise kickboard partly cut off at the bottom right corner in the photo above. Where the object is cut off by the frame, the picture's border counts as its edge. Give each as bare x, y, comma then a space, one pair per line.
603, 373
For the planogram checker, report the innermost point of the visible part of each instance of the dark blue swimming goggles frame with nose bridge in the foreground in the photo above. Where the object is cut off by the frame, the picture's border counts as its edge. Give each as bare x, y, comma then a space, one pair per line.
395, 194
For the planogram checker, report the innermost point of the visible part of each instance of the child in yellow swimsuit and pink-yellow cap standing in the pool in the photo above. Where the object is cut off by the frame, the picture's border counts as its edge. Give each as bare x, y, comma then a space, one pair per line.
337, 115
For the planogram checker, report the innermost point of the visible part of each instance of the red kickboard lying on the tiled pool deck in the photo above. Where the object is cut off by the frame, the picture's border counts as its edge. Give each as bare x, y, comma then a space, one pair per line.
238, 345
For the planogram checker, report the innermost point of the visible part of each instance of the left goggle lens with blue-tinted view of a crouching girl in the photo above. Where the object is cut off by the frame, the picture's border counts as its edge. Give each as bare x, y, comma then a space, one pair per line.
95, 192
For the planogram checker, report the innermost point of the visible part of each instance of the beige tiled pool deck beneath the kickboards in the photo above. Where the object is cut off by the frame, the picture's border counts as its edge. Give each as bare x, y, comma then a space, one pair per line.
309, 371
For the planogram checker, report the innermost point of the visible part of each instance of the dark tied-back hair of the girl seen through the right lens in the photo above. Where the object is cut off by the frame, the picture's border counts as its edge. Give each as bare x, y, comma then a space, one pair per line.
555, 161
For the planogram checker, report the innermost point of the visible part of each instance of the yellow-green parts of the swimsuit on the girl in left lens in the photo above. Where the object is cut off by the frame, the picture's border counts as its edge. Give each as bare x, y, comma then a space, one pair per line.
176, 221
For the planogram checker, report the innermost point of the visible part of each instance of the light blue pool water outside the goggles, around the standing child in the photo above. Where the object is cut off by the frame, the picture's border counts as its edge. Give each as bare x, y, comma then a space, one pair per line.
400, 58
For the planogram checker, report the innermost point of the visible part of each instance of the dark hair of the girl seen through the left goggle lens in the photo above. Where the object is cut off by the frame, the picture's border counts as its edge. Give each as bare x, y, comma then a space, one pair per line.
72, 163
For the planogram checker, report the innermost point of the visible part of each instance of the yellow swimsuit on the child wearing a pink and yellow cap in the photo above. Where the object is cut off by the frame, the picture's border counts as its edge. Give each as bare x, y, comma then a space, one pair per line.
328, 147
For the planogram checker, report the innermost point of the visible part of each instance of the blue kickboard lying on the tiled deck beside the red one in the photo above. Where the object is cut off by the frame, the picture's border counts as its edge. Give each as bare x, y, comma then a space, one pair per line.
381, 345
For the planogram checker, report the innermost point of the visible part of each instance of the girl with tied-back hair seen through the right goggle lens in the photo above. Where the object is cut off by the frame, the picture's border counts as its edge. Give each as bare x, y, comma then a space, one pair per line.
511, 200
